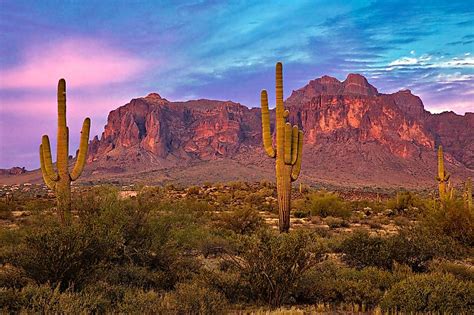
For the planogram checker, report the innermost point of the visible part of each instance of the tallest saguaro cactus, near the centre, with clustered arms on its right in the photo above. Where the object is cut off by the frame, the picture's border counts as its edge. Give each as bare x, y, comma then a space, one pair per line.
289, 149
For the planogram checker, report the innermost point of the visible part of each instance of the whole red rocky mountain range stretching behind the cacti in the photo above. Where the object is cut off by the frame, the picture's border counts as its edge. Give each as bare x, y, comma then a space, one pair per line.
353, 134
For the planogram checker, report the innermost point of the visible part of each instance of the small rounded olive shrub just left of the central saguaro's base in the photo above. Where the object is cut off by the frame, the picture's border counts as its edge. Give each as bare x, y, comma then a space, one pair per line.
243, 220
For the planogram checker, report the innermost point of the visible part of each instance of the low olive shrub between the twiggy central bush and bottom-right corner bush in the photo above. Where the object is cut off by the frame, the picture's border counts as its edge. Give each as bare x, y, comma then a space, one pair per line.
329, 282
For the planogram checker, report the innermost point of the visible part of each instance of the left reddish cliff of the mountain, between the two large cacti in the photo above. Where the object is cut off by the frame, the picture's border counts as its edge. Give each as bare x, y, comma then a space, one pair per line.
153, 129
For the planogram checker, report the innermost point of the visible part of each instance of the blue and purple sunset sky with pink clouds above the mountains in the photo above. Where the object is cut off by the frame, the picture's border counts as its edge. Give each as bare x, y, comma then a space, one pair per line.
112, 51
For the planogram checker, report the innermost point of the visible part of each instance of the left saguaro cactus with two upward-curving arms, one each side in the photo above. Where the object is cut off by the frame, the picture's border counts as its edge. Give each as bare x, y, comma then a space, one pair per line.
60, 181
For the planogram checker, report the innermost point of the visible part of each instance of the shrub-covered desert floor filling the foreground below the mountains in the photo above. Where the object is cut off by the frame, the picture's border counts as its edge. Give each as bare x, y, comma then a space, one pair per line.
214, 249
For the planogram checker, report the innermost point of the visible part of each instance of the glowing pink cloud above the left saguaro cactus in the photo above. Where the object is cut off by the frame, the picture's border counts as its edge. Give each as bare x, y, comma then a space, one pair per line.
82, 62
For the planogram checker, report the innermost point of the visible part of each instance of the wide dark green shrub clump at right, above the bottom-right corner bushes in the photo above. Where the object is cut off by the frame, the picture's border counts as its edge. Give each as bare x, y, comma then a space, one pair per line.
414, 247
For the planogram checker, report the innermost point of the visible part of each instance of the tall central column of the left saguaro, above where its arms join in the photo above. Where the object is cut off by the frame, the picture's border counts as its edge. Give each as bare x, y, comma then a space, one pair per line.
62, 141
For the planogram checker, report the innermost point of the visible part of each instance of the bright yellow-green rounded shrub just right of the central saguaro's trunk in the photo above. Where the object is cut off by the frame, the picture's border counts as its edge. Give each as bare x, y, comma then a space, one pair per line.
326, 204
